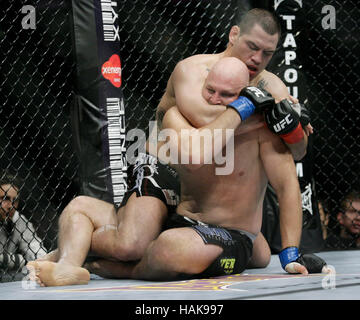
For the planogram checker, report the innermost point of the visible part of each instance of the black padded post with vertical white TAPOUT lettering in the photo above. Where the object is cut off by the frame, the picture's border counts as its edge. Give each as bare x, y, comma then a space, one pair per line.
287, 64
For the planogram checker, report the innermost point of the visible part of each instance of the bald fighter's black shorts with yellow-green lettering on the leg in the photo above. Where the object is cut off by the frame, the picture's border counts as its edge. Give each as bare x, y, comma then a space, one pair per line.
237, 246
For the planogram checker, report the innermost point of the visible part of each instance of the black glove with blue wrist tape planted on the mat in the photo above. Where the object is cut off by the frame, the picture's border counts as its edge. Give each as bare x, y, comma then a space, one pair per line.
311, 262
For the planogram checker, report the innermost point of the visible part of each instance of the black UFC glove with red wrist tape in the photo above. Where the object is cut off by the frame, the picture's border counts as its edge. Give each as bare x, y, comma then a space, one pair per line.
285, 121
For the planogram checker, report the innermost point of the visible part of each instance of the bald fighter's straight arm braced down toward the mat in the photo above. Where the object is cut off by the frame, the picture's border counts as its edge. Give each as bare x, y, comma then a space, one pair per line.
280, 169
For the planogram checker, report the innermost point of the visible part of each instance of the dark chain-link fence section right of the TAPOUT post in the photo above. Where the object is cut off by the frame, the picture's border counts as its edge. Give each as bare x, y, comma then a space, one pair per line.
333, 70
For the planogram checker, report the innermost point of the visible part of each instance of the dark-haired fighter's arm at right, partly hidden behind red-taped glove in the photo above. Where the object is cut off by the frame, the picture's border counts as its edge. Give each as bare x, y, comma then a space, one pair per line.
278, 90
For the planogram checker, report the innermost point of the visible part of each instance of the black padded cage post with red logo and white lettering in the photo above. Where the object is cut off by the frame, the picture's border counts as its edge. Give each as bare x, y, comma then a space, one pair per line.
99, 112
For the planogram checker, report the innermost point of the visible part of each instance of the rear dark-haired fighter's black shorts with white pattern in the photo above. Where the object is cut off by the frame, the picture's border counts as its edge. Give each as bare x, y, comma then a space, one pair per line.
149, 177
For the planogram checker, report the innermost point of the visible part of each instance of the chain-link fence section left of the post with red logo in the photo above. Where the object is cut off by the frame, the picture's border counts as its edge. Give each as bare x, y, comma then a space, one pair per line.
35, 137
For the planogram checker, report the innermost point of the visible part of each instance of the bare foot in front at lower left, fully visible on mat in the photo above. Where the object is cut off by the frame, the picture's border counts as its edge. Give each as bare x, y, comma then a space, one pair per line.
47, 273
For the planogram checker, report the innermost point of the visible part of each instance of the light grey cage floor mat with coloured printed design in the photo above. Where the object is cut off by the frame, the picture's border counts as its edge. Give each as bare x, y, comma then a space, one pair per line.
270, 283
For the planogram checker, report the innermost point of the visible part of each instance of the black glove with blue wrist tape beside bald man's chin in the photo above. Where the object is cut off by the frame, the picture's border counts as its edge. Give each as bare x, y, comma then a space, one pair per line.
251, 100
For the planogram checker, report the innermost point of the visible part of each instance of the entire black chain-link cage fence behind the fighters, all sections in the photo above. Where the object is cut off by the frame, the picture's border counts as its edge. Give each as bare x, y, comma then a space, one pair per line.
37, 77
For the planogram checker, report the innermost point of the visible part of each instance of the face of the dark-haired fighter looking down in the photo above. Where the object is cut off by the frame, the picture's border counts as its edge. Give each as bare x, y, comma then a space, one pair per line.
254, 48
